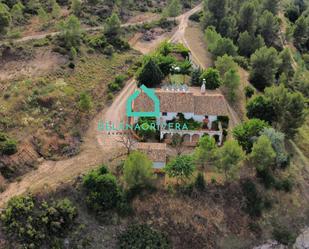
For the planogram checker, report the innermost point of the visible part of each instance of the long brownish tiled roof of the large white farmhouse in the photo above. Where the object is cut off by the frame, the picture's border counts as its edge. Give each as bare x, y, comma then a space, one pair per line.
210, 103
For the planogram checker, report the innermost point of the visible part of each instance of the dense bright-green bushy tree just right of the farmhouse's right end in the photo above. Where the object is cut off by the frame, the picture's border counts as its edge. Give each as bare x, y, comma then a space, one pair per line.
246, 132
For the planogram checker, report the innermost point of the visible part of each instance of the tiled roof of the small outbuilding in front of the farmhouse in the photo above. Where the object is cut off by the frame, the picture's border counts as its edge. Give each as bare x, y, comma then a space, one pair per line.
156, 152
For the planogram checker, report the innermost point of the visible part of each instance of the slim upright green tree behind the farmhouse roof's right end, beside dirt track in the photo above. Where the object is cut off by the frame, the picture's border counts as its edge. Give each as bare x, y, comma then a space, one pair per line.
231, 82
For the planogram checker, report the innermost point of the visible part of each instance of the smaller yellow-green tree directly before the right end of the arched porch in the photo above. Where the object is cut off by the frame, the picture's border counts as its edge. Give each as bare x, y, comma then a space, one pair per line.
205, 150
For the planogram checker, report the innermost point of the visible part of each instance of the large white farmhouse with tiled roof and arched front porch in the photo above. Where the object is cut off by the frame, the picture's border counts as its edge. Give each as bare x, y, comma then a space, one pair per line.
202, 110
